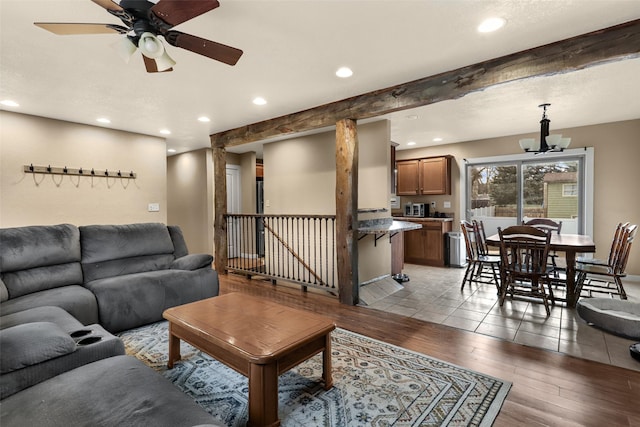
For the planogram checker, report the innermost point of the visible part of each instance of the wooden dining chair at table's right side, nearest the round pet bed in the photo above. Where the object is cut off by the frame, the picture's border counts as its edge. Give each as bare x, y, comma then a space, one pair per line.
607, 278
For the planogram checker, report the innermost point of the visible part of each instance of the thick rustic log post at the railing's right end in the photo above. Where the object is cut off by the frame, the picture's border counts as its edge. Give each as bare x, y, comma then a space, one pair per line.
347, 210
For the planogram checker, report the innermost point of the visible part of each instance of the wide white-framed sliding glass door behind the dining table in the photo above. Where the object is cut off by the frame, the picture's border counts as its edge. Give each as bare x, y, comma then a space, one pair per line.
506, 190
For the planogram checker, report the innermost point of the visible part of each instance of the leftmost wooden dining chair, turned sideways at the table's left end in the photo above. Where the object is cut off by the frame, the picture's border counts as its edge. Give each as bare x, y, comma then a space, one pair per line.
481, 267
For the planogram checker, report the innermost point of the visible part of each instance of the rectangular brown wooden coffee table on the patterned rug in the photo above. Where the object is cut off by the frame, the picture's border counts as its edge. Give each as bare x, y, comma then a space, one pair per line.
259, 339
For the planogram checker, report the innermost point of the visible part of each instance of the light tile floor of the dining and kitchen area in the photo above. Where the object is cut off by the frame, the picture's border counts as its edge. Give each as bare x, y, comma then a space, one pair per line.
433, 294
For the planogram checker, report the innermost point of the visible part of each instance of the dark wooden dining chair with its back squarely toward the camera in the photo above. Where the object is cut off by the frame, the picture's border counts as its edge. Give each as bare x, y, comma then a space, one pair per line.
523, 264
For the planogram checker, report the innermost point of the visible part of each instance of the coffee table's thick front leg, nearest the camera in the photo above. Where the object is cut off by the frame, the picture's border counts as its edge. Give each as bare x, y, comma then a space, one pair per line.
263, 395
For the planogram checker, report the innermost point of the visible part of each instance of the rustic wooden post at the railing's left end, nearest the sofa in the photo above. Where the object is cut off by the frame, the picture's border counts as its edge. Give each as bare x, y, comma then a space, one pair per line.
220, 209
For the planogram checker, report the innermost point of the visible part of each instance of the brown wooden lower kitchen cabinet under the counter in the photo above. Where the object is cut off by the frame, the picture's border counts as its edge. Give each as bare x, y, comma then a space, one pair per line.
426, 246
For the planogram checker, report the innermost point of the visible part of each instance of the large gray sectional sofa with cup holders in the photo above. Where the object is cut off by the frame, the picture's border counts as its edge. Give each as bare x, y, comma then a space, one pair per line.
63, 291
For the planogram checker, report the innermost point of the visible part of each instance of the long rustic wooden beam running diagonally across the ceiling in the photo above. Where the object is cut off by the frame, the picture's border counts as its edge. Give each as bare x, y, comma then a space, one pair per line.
599, 47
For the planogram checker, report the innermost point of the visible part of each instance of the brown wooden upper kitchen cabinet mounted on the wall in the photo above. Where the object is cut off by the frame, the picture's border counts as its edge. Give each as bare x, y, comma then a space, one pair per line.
431, 175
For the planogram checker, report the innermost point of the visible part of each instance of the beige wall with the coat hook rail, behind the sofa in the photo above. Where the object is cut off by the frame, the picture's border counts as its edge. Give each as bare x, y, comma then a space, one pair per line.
36, 199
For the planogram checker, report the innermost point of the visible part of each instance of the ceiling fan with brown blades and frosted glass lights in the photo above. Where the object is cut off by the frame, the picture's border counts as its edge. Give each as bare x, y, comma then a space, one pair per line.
144, 21
